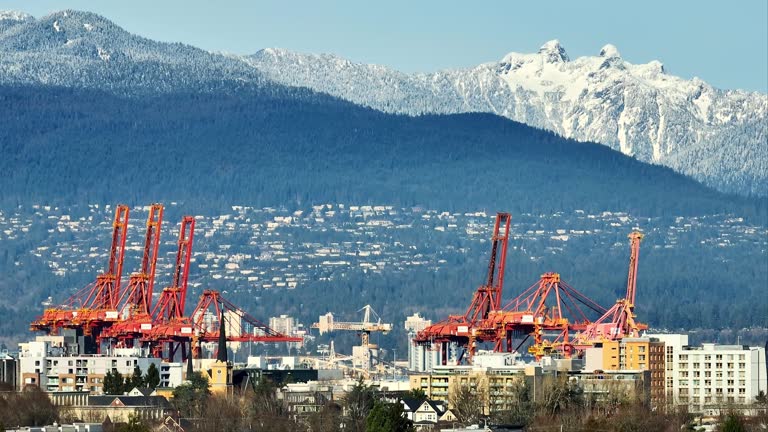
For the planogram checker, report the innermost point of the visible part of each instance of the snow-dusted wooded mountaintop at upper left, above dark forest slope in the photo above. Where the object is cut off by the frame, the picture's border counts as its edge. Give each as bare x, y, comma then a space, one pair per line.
81, 49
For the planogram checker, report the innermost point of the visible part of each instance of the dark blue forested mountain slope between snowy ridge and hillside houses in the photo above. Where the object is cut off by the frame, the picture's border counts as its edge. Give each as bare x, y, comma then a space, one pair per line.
279, 146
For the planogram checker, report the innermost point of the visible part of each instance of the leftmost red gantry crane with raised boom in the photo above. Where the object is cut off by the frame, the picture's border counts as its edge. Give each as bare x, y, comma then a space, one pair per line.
94, 307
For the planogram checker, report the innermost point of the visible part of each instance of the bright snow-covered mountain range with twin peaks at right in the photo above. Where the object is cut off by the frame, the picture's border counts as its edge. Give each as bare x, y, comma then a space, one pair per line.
716, 136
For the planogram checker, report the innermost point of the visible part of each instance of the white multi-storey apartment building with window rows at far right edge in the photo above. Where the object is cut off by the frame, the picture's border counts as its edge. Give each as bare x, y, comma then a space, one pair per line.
712, 376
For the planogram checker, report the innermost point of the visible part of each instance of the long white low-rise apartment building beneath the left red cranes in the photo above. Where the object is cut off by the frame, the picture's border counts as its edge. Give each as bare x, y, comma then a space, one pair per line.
45, 363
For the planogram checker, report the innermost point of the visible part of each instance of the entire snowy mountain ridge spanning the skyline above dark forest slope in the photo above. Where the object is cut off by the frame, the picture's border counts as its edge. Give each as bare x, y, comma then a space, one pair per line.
613, 104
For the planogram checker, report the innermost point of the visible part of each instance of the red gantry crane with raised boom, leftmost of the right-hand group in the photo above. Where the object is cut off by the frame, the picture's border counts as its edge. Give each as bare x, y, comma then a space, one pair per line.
460, 329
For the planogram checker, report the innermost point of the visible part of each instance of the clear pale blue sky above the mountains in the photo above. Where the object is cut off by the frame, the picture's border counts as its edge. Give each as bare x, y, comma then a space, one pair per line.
724, 43
